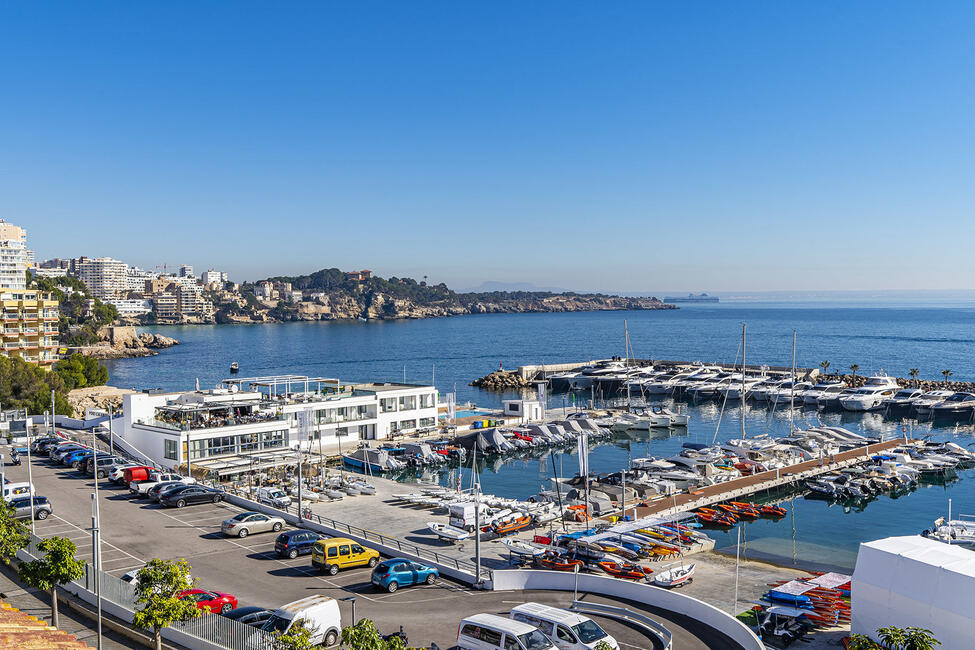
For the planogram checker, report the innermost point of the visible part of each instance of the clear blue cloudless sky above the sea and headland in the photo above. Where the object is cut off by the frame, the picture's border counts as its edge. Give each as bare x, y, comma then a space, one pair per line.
621, 146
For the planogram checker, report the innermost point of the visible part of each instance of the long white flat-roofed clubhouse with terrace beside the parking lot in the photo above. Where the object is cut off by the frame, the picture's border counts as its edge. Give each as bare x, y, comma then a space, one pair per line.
255, 423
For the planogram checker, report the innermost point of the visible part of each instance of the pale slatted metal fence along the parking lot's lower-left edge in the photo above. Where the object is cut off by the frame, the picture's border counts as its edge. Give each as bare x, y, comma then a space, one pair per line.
211, 628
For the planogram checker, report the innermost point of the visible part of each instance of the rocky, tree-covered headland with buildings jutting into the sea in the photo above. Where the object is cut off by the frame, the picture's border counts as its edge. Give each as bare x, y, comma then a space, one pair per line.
332, 294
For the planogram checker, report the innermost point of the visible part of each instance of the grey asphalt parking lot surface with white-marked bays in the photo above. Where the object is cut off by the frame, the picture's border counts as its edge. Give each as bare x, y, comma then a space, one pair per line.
134, 531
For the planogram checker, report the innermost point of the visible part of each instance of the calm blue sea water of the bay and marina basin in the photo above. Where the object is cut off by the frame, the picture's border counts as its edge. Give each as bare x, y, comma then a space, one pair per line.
452, 351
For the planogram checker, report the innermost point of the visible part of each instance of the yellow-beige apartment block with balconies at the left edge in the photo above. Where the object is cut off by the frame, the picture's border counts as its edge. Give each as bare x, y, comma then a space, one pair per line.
30, 325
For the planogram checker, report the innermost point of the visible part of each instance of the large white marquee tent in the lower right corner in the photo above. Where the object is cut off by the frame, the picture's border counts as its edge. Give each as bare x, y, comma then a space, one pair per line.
915, 582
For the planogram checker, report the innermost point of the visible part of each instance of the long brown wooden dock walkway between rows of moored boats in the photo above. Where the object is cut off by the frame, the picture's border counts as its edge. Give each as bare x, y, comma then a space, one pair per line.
748, 485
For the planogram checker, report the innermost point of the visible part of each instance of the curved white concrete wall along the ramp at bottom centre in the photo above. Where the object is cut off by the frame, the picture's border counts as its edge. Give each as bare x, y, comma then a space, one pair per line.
519, 579
